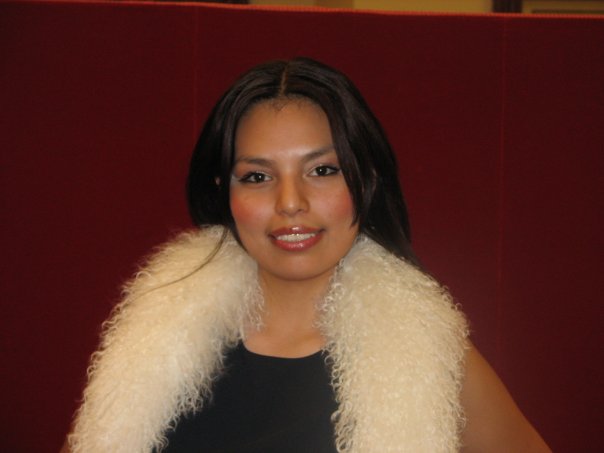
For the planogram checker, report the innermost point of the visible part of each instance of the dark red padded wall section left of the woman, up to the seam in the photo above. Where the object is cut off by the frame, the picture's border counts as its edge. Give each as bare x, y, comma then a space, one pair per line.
97, 126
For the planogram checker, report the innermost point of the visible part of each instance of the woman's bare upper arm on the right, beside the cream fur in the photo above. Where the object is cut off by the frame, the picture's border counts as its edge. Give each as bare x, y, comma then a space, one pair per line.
494, 422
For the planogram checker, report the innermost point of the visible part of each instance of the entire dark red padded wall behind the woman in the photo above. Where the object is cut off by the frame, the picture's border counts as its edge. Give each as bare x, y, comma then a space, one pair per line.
497, 121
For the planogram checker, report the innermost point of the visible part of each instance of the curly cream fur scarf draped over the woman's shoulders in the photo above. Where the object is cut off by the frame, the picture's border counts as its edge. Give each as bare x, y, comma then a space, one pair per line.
396, 340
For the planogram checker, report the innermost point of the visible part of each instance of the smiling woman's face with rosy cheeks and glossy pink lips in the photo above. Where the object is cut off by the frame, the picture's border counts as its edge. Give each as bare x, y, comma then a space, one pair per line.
291, 205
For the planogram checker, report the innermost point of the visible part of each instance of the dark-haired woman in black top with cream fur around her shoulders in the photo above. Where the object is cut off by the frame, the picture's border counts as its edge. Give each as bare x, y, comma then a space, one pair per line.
296, 318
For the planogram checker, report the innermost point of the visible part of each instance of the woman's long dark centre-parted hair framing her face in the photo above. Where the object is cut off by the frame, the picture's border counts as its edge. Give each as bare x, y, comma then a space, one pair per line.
365, 155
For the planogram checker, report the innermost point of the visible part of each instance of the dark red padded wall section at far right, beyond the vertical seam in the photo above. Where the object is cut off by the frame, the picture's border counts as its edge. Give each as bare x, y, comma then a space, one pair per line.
553, 249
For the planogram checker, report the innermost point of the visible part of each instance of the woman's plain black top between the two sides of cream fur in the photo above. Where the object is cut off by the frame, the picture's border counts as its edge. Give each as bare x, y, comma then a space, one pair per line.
263, 404
